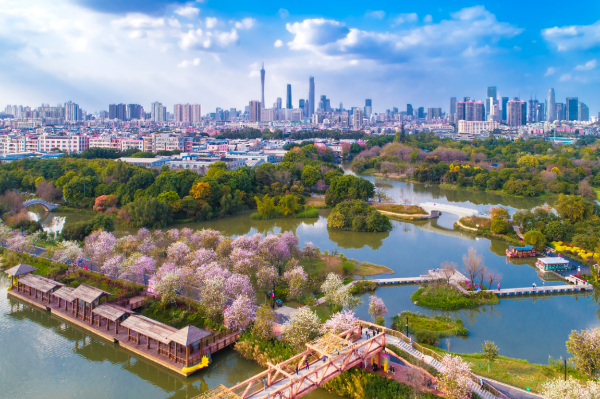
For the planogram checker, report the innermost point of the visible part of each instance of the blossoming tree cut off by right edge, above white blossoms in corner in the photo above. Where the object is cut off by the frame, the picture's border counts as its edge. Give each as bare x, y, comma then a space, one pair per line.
585, 347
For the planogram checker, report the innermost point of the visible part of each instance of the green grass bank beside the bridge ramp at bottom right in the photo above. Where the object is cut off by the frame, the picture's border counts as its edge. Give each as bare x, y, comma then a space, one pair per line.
515, 372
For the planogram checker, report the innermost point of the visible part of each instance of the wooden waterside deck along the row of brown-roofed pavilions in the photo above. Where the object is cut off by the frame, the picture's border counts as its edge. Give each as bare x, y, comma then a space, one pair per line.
121, 338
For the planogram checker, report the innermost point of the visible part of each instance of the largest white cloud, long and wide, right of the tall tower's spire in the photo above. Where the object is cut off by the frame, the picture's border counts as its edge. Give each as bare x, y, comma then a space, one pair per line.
470, 32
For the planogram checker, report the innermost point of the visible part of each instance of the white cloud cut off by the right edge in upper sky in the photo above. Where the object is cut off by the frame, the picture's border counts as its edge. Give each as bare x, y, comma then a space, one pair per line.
574, 37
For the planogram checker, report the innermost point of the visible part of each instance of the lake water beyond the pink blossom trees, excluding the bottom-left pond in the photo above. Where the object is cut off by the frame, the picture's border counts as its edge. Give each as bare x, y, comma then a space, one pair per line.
527, 328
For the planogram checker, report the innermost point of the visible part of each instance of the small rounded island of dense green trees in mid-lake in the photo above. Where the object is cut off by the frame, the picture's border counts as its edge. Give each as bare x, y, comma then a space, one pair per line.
358, 215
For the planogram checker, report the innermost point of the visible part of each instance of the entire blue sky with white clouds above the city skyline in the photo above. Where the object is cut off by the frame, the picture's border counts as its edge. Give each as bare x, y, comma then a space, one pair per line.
209, 52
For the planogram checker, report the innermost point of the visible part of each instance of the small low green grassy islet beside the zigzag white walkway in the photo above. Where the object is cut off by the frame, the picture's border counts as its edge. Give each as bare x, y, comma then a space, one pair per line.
447, 298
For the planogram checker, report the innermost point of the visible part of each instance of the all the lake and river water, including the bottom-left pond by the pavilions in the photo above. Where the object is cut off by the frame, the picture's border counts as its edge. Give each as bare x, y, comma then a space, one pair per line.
39, 345
